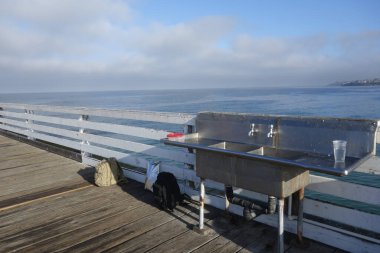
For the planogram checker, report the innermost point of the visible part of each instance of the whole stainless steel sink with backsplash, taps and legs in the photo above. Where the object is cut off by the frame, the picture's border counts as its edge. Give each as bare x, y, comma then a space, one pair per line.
274, 154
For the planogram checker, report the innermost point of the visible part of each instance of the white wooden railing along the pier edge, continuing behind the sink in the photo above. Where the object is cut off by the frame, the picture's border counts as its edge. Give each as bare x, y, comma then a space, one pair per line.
123, 134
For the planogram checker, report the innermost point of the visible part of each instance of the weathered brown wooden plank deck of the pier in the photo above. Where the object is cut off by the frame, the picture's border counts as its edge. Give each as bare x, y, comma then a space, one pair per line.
49, 204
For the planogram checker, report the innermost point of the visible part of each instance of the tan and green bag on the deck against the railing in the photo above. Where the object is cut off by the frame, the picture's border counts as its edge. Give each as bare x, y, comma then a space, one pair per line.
108, 172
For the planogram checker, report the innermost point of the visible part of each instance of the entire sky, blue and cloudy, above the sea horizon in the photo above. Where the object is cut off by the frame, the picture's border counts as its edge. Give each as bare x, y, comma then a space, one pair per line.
69, 45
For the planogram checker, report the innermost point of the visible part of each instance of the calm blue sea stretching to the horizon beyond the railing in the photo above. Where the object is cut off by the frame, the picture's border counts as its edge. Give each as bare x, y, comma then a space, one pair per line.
356, 102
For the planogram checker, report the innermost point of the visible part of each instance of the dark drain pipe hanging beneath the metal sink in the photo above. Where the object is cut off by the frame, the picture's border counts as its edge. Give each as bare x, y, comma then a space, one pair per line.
251, 210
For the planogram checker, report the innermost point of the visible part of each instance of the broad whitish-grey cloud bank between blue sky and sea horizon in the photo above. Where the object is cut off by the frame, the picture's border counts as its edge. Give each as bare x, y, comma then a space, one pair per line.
96, 44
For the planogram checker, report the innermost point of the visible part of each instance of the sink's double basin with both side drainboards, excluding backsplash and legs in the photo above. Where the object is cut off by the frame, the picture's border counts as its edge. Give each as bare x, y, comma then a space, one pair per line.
268, 170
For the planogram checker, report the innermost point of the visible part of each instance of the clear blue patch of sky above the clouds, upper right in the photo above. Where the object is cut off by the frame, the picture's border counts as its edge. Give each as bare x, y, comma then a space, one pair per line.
272, 18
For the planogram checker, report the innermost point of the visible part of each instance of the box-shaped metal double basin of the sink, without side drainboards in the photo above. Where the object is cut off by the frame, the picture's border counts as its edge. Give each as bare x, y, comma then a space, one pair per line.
240, 165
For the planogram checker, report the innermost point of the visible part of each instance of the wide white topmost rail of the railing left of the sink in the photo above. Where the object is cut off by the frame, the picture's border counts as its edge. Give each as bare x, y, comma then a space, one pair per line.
164, 117
